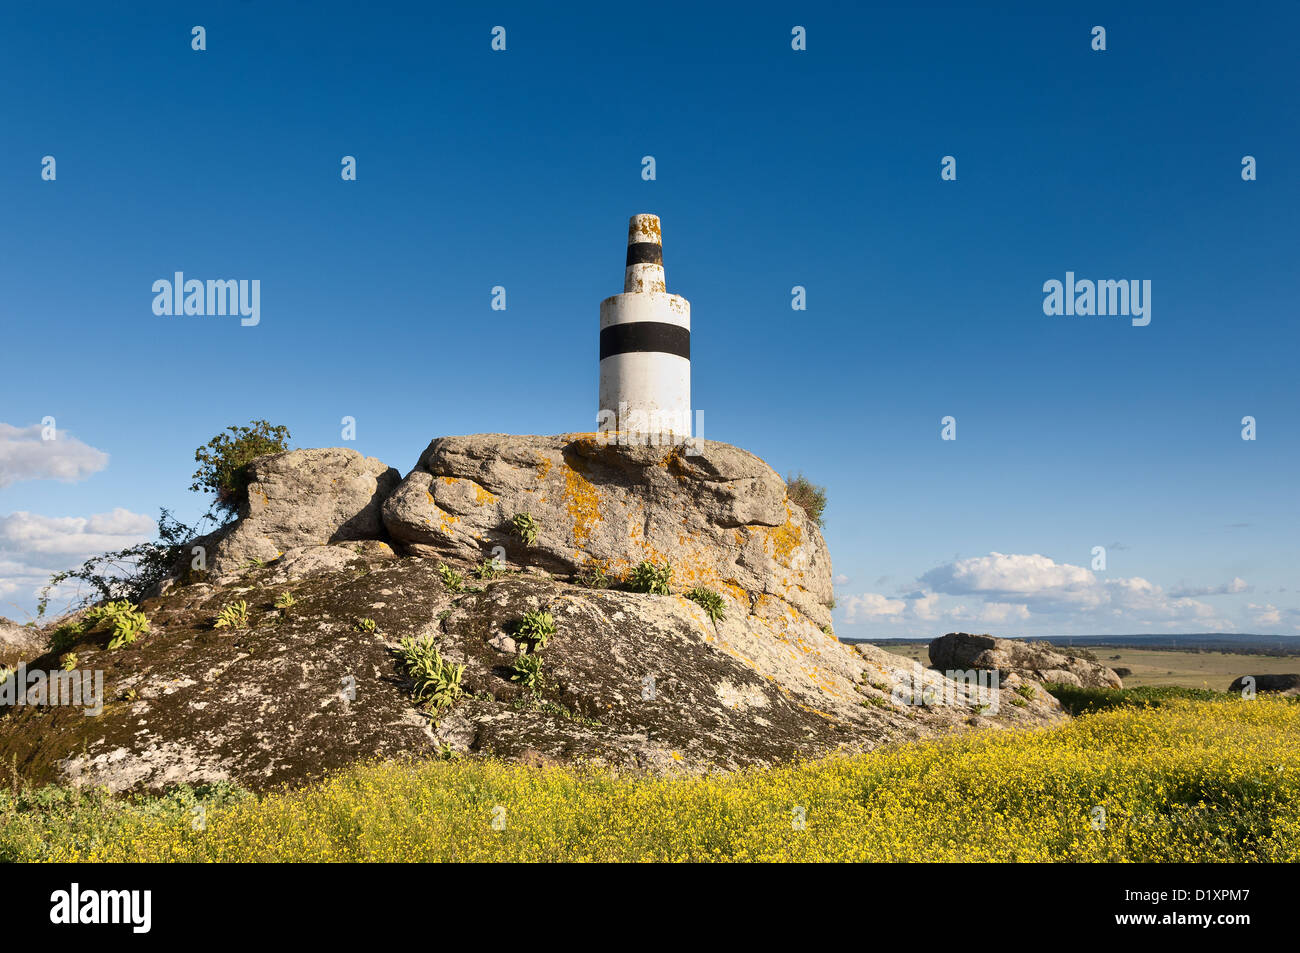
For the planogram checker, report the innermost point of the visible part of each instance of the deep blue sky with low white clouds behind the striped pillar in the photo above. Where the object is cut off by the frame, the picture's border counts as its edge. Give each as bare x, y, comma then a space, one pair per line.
774, 168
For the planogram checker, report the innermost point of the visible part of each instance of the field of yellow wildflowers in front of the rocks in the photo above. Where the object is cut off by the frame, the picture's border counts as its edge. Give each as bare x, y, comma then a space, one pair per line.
1194, 781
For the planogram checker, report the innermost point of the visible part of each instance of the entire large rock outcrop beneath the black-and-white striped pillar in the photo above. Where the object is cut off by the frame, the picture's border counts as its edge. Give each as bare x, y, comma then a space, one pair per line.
313, 679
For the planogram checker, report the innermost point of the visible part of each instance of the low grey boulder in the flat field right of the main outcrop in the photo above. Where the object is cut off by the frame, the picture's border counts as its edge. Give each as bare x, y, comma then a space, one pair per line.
961, 651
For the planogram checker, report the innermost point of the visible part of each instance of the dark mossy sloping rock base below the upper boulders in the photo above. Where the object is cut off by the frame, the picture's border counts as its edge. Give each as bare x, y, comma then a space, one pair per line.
630, 681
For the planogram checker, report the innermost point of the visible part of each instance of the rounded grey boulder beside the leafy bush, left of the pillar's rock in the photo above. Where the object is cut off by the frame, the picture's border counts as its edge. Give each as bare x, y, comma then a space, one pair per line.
304, 499
